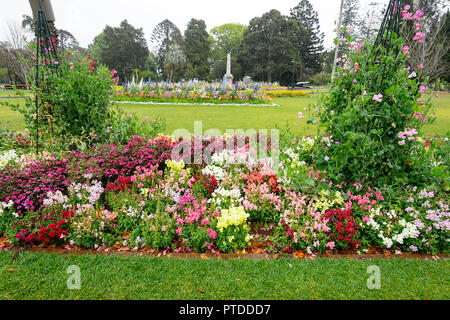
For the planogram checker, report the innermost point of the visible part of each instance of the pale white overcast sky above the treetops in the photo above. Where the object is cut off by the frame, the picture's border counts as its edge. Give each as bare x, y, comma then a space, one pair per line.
87, 18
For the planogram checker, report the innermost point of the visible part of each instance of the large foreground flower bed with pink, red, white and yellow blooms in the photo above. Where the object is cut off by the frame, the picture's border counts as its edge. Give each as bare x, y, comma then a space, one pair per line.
135, 196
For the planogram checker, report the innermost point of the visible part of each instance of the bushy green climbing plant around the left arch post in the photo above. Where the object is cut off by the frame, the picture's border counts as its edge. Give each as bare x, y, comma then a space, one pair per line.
73, 101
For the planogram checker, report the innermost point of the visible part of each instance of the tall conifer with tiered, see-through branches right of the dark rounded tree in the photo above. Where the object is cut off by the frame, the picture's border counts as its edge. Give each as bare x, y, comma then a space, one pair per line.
309, 38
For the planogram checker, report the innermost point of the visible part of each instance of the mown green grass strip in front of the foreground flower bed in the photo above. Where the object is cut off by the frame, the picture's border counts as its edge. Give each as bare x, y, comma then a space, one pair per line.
43, 276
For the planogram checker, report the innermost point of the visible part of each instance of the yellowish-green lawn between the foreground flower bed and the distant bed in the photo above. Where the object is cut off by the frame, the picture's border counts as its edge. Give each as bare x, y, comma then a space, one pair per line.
239, 117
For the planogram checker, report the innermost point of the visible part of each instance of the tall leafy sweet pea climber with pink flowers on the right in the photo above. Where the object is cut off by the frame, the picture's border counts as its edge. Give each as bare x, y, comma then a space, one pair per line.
366, 142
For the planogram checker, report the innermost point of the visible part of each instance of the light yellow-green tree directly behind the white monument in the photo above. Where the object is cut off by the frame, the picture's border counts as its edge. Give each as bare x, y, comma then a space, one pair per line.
226, 39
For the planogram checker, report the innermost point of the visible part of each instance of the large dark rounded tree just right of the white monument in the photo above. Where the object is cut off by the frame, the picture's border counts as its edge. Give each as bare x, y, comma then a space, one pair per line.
269, 46
